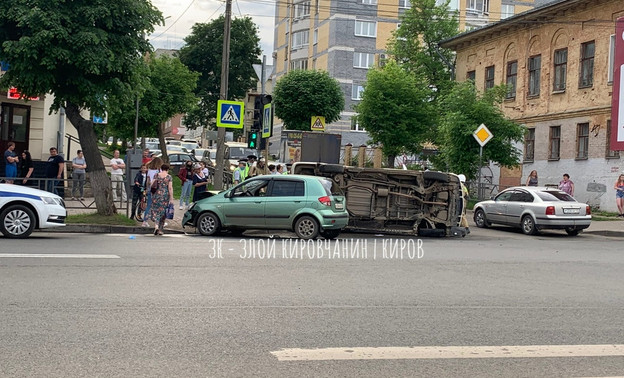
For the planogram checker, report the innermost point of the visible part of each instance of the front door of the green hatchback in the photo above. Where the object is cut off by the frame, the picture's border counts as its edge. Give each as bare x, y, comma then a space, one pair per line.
244, 206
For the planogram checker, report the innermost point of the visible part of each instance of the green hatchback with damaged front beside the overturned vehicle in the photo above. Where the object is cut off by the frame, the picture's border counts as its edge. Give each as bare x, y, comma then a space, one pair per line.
310, 206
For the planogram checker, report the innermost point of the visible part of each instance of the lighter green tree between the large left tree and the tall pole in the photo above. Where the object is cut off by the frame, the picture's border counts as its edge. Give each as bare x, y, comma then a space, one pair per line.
169, 91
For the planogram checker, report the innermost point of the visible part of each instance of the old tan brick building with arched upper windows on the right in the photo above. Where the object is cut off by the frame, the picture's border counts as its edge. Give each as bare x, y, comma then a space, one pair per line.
557, 61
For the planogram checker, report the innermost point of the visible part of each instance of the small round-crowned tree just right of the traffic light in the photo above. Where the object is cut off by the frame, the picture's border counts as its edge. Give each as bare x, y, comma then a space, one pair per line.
302, 94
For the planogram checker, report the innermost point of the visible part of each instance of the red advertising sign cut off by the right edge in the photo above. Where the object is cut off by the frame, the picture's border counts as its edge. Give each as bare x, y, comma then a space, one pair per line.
617, 104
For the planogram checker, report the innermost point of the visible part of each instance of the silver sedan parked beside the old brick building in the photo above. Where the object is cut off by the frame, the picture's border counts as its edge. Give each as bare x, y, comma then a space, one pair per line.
533, 209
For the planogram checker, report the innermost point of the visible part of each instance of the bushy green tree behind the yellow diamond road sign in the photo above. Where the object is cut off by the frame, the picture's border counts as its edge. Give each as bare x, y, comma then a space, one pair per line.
463, 109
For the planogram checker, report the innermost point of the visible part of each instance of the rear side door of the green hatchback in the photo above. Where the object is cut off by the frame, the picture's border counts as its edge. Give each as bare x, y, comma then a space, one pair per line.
286, 197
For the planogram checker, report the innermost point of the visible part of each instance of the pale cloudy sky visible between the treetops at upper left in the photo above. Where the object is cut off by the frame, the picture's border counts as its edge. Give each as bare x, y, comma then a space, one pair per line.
181, 15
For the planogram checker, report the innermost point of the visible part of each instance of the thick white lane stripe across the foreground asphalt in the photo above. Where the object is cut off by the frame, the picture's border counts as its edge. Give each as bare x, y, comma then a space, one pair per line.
445, 352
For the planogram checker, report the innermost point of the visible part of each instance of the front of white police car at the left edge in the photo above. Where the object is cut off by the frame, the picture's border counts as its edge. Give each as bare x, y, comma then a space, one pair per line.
22, 209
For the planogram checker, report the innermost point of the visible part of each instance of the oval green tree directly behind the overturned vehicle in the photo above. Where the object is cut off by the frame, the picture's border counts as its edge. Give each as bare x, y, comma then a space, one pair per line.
395, 110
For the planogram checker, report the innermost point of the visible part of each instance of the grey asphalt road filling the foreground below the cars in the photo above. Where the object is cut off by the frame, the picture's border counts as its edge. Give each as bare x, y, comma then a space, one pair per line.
166, 306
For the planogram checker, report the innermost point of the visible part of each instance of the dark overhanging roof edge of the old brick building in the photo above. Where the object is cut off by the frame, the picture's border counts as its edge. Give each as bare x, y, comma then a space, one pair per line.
530, 18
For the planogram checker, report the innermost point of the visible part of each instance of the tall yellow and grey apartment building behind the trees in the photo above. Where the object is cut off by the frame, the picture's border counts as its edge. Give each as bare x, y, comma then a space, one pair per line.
347, 38
